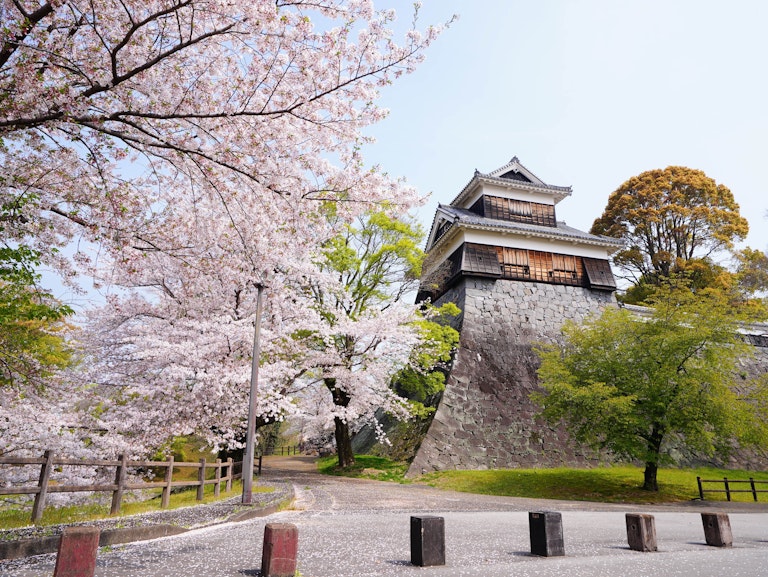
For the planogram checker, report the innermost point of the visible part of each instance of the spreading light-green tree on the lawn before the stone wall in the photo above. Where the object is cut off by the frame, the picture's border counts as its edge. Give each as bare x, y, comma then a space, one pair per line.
640, 386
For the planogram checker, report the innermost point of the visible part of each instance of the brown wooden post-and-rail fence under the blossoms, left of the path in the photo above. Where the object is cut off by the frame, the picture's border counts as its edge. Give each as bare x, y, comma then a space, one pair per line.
224, 472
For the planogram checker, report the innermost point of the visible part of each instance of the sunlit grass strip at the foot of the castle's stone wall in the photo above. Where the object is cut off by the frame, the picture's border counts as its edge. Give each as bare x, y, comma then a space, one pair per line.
620, 484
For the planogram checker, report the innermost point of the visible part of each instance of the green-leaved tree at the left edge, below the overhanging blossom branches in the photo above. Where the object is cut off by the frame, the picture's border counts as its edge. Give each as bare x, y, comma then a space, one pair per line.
32, 323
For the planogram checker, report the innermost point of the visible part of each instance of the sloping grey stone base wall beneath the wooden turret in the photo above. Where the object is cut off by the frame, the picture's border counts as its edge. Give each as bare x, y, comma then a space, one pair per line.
485, 419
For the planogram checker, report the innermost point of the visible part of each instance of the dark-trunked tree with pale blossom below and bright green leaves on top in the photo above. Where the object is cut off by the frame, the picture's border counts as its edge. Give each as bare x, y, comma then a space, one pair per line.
364, 334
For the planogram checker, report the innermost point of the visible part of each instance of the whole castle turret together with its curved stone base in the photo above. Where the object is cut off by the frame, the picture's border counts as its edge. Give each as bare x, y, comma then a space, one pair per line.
499, 252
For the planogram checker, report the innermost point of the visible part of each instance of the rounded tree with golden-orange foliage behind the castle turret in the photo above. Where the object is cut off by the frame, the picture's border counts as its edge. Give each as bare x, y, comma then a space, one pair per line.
669, 217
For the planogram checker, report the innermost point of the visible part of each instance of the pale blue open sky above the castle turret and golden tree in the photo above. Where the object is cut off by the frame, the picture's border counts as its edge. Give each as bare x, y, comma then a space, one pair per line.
586, 93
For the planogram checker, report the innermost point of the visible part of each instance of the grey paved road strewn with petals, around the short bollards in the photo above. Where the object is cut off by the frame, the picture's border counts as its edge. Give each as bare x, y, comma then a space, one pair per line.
361, 528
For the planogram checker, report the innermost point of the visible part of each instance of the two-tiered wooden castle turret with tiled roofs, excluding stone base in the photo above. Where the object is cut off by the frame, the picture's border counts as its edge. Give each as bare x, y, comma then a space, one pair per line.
502, 225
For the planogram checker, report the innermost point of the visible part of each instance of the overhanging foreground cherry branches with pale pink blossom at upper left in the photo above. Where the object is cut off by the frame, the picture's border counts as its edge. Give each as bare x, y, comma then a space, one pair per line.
112, 110
